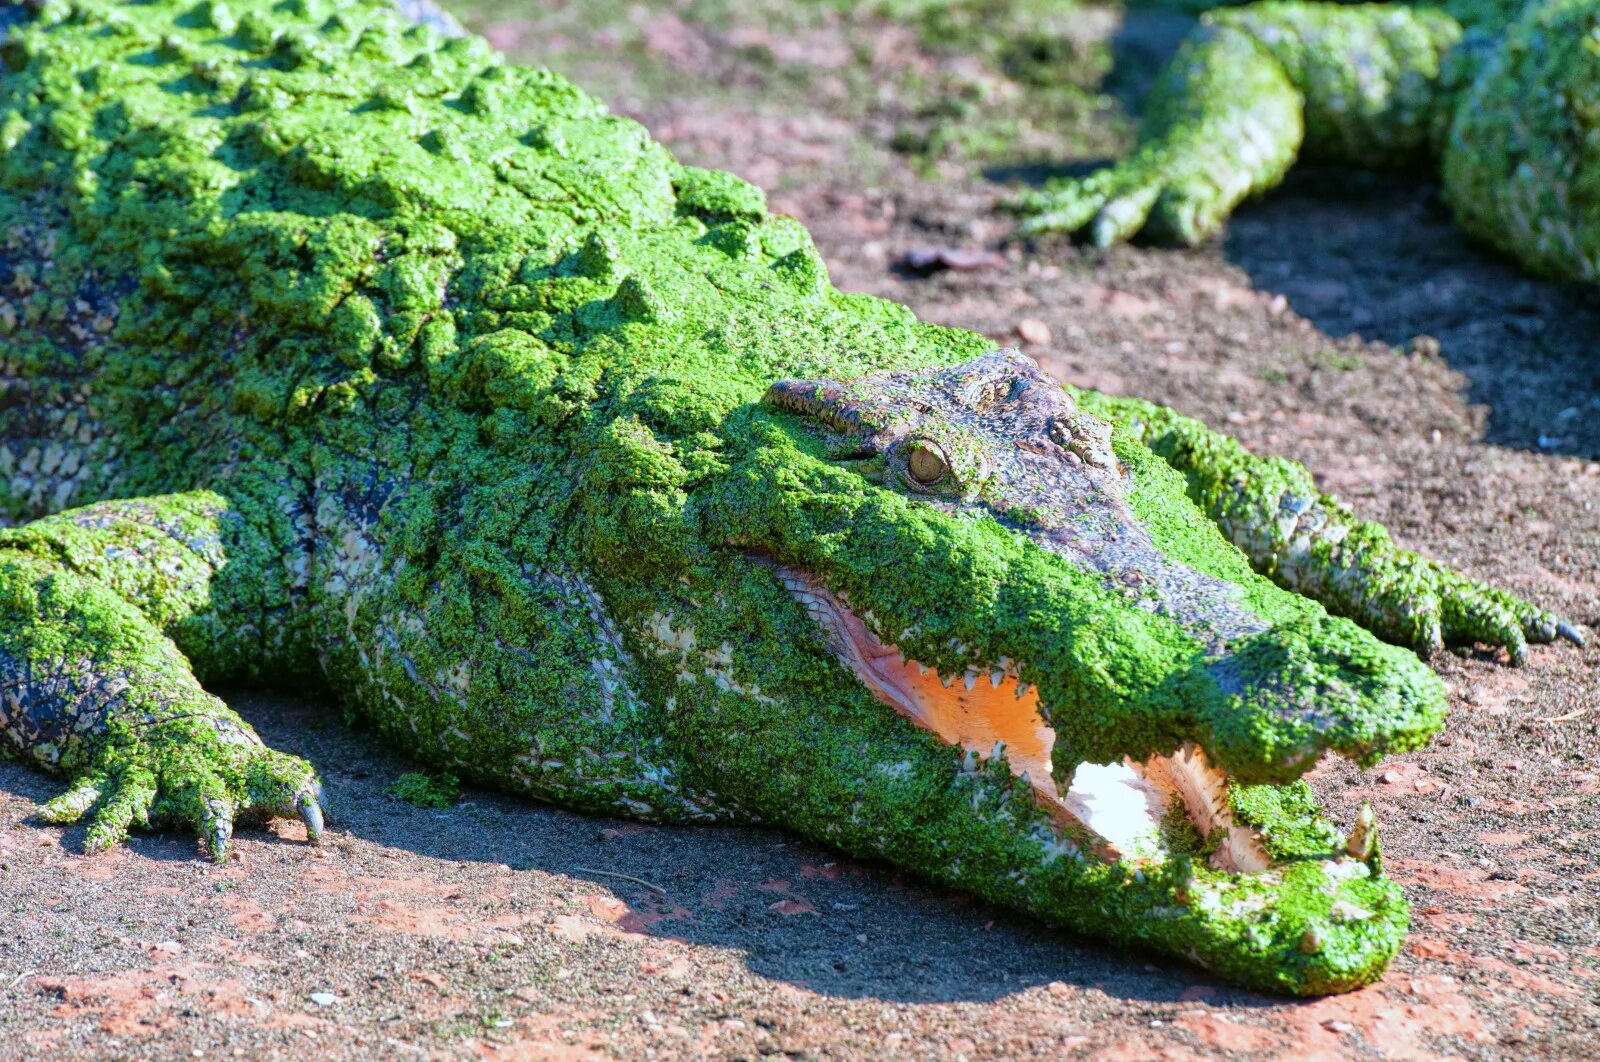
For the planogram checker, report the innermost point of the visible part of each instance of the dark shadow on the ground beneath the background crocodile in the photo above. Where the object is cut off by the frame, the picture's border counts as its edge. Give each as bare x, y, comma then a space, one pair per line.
1378, 257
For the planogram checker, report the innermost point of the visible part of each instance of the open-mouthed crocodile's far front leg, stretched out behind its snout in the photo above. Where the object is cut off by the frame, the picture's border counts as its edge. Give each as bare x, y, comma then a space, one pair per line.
1311, 543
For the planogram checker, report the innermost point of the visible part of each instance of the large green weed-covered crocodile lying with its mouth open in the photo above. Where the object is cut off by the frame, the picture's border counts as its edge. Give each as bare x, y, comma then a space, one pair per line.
343, 356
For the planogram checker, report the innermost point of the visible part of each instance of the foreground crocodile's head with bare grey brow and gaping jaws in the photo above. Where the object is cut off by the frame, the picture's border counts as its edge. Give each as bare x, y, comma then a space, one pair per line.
1034, 588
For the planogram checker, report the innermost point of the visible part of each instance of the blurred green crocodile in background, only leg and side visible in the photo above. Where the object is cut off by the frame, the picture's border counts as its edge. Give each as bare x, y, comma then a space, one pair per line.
1500, 95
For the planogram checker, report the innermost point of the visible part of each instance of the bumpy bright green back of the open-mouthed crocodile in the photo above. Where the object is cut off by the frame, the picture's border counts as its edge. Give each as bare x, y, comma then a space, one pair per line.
273, 226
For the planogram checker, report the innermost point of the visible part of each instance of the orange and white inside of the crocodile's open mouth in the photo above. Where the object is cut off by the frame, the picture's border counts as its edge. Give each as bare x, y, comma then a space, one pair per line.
1130, 807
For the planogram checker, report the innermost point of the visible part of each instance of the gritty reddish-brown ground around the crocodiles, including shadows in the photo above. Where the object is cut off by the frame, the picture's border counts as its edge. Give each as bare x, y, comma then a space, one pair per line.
503, 930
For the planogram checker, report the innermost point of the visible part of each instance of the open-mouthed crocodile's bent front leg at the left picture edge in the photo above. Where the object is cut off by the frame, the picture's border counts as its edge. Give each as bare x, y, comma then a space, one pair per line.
110, 615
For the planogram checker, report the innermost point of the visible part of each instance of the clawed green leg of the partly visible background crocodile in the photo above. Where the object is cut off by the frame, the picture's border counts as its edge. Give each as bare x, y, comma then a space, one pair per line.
1231, 113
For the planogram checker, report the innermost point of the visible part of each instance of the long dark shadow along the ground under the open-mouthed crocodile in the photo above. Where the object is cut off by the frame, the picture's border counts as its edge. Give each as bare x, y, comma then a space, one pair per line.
794, 912
